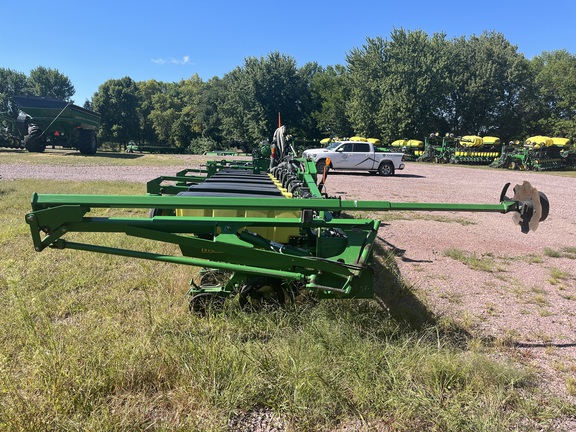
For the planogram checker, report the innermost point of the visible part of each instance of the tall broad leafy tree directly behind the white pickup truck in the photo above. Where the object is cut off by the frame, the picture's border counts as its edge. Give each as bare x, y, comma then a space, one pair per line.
397, 86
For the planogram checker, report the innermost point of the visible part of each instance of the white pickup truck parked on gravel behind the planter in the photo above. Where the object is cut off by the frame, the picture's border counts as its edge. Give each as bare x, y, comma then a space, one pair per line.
356, 156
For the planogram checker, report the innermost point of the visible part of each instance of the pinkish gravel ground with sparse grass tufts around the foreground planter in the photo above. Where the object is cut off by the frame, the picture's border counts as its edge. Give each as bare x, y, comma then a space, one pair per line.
477, 269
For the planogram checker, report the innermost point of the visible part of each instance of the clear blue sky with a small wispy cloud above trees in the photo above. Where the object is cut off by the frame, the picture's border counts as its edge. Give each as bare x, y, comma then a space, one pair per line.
93, 41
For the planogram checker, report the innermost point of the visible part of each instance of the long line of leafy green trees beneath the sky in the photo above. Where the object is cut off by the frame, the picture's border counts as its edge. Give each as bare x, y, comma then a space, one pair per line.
406, 86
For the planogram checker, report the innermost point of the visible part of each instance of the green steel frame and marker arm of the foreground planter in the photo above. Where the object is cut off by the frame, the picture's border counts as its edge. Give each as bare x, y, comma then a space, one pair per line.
327, 255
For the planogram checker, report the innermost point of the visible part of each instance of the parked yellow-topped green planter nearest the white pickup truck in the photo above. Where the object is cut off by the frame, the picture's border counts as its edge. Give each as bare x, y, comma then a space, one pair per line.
468, 149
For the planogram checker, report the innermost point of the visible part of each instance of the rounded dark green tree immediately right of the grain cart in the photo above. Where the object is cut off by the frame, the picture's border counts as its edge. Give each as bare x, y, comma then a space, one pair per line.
117, 102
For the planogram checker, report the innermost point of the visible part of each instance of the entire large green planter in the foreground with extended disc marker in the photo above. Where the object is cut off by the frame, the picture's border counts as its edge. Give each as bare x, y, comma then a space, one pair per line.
263, 231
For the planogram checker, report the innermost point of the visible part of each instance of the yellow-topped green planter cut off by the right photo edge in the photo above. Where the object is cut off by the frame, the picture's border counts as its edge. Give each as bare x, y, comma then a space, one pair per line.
538, 153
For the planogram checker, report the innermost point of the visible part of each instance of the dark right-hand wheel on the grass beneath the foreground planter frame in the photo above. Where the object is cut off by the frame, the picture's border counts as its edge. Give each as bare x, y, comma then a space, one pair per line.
261, 293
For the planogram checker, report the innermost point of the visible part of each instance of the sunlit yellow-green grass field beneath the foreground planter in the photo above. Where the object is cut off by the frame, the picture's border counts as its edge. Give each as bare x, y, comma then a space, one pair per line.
96, 342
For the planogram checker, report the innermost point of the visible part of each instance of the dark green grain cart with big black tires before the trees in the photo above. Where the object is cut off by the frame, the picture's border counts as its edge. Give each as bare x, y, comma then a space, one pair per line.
45, 122
